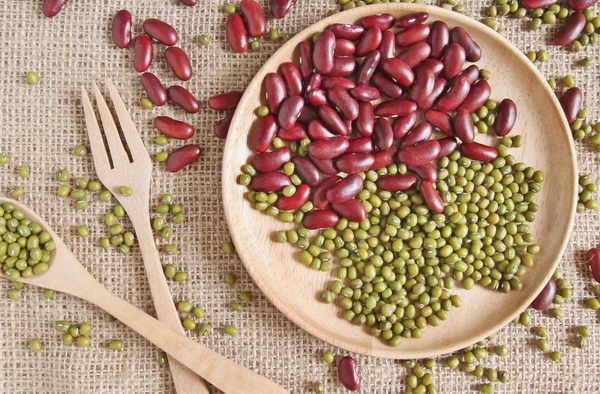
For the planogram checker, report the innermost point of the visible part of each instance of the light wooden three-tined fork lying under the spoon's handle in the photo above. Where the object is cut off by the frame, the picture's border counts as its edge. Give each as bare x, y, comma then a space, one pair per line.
136, 174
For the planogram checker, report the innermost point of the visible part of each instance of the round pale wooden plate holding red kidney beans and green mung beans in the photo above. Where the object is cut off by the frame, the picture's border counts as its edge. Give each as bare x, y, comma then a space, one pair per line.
294, 289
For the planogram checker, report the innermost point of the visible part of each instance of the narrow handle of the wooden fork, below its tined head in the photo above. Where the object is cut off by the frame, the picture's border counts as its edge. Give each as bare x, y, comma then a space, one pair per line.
186, 381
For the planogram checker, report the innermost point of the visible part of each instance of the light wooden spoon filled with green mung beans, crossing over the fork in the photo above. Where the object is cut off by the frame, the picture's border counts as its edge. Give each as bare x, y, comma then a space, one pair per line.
67, 275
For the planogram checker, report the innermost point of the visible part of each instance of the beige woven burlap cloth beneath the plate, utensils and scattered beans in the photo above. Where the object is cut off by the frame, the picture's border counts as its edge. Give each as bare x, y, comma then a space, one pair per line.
40, 125
